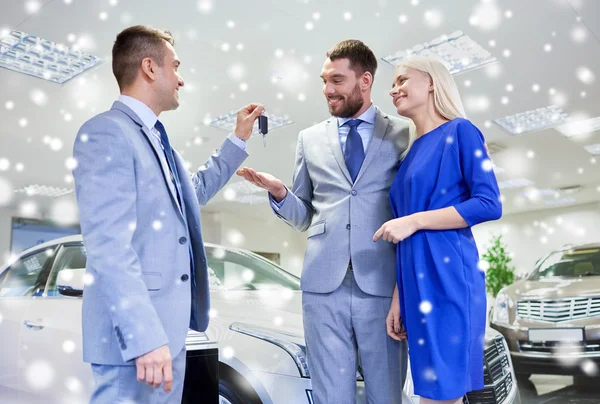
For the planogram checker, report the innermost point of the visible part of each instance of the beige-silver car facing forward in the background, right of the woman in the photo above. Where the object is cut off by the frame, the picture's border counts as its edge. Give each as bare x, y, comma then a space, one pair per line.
551, 319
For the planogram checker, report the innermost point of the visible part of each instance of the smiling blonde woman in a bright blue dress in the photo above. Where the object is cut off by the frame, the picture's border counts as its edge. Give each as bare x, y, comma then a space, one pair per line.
445, 185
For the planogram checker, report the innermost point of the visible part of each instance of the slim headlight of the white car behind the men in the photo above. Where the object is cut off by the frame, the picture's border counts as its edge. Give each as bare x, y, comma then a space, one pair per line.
292, 344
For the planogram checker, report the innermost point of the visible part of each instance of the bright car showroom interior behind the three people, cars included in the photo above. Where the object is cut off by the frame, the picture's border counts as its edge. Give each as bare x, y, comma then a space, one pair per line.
528, 73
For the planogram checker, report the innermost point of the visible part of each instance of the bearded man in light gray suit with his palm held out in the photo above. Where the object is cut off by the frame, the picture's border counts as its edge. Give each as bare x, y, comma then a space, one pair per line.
344, 170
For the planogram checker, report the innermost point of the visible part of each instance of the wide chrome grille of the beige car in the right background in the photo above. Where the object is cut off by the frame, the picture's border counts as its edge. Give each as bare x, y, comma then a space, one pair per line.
558, 310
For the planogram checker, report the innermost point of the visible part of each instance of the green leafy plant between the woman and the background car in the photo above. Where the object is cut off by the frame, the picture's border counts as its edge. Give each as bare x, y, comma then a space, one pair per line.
499, 273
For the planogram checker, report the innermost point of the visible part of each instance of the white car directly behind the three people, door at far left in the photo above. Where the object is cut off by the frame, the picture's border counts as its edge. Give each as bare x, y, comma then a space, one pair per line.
256, 321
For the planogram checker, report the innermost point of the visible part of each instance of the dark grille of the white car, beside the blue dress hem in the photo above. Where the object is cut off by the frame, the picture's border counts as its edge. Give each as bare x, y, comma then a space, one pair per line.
497, 379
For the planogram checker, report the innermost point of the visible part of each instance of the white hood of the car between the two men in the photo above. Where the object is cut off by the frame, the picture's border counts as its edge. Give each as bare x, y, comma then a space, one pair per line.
280, 311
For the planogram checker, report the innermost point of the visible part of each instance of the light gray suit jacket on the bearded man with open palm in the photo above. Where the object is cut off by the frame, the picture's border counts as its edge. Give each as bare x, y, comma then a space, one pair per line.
340, 217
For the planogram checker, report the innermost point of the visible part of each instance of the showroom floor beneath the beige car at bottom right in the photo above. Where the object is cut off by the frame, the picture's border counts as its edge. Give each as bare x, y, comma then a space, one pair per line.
546, 389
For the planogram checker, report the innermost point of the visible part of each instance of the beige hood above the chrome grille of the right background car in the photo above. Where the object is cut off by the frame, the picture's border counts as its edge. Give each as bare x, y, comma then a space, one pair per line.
555, 288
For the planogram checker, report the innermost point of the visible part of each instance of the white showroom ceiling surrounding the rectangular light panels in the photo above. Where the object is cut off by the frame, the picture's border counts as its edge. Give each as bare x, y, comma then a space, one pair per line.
277, 43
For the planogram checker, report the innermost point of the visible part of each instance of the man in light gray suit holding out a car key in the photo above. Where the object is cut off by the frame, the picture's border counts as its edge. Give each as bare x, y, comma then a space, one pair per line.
140, 219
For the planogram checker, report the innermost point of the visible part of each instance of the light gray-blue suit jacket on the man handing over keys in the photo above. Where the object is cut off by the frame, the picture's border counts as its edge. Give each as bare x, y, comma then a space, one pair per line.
137, 240
